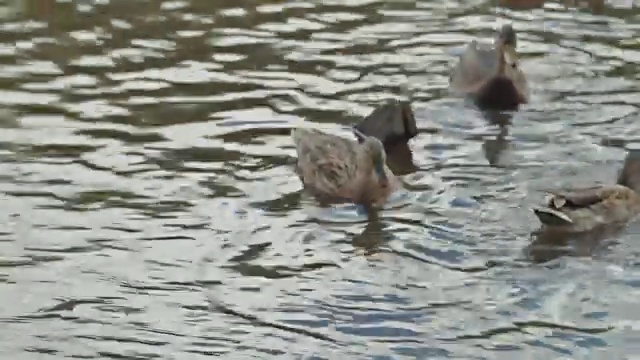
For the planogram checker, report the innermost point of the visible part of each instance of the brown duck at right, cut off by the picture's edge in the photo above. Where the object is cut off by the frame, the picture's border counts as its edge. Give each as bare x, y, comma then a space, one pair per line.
584, 209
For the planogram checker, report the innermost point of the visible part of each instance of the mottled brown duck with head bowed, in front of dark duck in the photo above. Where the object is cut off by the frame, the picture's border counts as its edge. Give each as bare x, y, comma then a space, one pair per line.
336, 169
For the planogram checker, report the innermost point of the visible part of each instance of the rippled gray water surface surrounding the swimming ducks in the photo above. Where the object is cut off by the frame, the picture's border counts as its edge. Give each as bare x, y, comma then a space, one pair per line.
151, 210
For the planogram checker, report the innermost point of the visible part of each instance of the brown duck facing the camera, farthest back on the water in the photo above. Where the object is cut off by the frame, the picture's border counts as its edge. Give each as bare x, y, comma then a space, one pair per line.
491, 74
